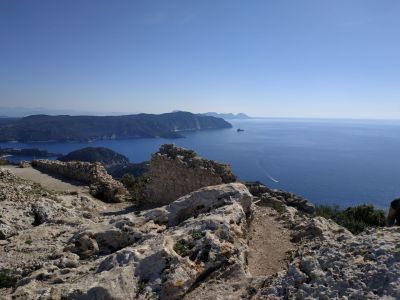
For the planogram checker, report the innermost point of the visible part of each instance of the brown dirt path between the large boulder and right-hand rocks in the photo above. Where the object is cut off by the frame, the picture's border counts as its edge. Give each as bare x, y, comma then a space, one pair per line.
268, 242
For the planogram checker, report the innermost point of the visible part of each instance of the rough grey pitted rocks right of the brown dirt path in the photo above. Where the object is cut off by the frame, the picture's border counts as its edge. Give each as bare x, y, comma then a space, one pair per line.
342, 266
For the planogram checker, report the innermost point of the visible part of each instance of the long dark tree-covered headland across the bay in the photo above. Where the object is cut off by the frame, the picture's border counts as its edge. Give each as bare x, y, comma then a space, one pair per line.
90, 128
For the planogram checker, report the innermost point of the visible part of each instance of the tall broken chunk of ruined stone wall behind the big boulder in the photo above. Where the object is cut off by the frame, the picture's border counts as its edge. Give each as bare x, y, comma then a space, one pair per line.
175, 172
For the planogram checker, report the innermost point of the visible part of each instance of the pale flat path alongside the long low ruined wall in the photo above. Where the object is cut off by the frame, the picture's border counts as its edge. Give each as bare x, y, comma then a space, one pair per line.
47, 181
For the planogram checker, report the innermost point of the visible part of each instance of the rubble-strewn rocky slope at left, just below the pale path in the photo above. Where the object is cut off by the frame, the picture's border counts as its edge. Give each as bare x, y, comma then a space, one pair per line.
35, 225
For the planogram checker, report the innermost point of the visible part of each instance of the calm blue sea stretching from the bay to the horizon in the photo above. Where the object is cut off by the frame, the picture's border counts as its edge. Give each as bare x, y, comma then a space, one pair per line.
332, 162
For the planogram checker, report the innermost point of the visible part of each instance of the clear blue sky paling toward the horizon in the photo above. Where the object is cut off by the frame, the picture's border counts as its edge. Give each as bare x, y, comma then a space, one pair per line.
309, 58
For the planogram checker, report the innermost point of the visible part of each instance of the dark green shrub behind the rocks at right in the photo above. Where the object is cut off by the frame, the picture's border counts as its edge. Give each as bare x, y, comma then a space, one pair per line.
355, 219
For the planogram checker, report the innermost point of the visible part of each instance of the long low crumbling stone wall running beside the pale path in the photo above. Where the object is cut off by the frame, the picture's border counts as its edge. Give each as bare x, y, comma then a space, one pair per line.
102, 185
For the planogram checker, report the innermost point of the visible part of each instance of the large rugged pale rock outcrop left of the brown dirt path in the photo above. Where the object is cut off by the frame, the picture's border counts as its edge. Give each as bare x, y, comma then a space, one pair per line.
161, 253
